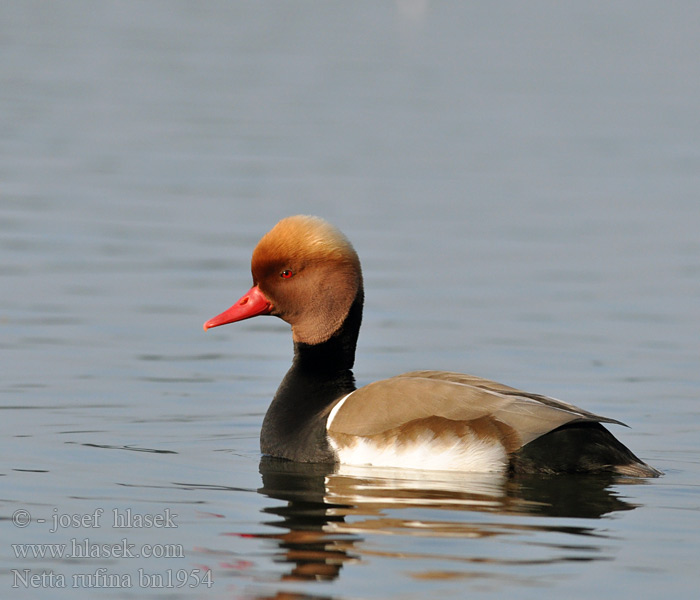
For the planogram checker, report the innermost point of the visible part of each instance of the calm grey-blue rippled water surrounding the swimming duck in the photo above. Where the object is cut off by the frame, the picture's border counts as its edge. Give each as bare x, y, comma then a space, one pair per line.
522, 183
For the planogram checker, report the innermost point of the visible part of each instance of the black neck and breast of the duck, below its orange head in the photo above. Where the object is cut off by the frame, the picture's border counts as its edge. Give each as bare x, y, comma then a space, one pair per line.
294, 426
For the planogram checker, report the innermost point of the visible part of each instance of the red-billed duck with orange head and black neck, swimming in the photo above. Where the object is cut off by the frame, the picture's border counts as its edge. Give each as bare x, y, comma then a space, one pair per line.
307, 273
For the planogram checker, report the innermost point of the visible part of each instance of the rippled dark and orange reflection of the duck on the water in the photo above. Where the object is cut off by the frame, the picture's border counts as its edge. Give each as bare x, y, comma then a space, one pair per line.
327, 511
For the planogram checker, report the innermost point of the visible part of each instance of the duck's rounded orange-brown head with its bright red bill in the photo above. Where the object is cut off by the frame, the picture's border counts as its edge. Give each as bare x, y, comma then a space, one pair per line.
306, 272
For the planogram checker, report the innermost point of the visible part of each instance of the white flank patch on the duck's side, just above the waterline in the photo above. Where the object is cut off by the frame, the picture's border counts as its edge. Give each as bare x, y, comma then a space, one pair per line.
445, 453
